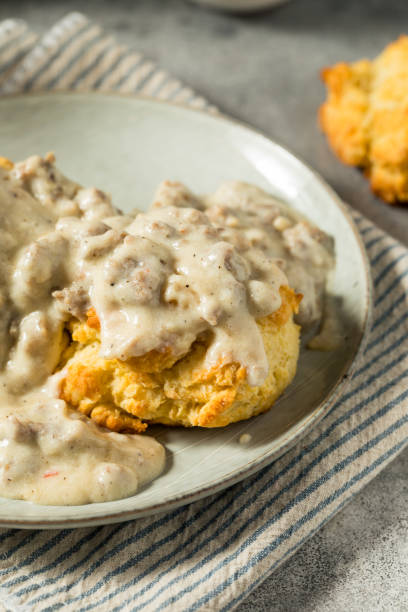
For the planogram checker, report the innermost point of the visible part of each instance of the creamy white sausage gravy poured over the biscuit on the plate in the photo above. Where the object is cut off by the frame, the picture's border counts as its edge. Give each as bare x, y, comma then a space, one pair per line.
157, 281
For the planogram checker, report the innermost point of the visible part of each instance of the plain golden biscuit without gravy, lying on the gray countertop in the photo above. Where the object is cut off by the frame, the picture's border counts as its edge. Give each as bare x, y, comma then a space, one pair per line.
365, 118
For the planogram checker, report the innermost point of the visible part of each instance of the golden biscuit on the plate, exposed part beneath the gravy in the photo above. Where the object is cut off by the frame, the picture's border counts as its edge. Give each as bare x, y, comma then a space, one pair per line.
124, 395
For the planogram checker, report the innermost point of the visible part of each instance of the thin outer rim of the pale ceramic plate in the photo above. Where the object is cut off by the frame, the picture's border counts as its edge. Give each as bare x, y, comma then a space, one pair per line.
311, 420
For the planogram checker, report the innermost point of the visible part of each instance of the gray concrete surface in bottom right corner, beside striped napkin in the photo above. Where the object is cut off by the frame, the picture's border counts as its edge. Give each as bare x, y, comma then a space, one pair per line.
358, 562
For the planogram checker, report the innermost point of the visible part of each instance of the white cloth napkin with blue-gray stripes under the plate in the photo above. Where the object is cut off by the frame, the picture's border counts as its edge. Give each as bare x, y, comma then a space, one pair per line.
211, 554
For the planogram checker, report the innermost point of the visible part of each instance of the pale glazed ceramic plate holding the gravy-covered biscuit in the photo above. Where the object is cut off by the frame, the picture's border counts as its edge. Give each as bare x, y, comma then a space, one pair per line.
126, 145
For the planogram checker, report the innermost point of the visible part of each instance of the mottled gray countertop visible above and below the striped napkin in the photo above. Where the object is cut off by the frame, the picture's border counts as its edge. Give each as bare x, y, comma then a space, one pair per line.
264, 69
